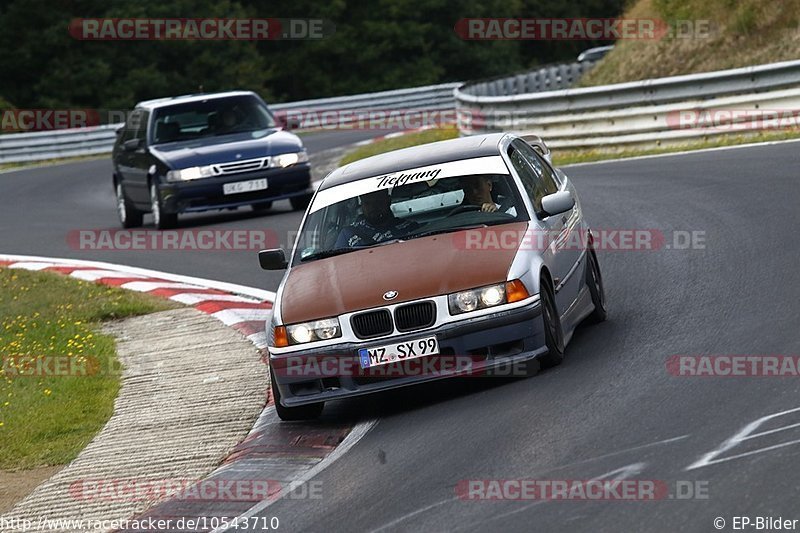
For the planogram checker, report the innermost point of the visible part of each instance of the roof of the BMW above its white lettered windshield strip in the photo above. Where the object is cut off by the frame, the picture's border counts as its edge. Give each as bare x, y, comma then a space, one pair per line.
416, 156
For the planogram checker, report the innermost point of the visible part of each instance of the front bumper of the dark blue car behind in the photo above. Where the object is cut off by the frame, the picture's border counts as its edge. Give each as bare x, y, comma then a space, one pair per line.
207, 193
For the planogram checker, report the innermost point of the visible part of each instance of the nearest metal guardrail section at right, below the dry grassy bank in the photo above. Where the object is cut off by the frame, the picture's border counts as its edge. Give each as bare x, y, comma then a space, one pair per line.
642, 112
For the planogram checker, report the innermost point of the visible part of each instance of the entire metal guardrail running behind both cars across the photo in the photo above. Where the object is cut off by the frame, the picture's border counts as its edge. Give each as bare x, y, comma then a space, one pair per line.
642, 112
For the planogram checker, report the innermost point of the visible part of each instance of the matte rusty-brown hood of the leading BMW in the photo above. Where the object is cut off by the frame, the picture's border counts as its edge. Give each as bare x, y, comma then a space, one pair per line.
417, 268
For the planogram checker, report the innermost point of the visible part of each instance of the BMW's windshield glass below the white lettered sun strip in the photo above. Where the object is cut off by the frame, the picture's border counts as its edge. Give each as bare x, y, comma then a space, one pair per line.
414, 210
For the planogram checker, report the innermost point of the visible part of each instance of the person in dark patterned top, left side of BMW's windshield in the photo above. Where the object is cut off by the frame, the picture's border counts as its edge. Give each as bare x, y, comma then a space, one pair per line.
376, 223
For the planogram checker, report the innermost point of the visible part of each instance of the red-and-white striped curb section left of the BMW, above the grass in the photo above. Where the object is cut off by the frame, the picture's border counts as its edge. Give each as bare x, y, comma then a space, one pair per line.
245, 309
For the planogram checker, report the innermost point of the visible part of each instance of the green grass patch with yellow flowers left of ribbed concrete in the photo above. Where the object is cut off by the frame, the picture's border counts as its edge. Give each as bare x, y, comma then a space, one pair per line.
48, 420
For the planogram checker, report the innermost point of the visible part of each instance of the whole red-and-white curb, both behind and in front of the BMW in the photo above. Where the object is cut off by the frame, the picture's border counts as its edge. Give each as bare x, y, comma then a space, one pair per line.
291, 453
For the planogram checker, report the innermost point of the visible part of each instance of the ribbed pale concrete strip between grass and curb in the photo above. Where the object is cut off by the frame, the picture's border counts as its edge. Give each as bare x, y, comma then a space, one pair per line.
191, 390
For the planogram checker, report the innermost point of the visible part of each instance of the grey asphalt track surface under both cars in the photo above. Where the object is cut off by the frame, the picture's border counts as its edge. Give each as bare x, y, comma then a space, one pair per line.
611, 410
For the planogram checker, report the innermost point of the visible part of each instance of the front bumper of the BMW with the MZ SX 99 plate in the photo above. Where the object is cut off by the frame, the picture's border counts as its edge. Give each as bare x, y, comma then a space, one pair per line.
487, 346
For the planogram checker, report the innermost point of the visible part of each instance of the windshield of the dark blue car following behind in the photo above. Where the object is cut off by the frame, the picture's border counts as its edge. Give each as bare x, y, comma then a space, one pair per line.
209, 118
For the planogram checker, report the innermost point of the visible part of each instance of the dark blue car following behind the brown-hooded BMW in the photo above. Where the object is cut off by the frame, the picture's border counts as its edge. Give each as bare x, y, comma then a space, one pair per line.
202, 152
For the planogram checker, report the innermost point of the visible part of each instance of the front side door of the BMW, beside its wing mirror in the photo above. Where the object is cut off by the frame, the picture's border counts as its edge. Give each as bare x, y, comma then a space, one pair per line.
560, 255
